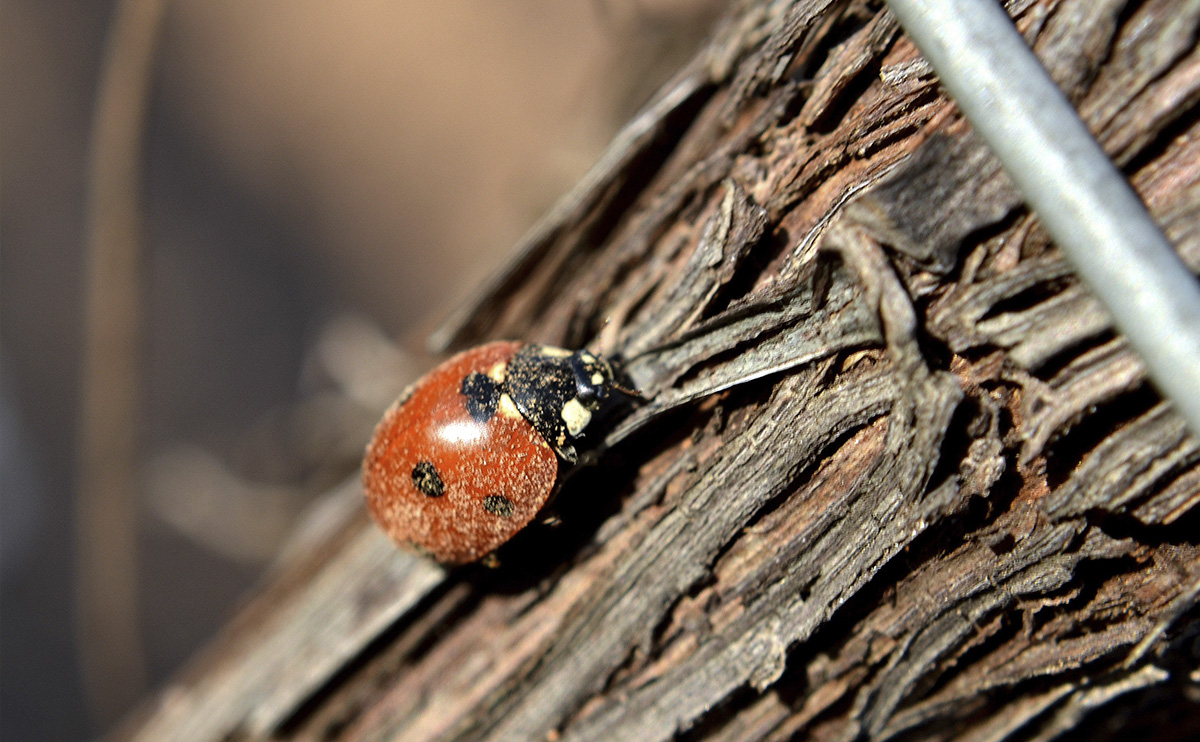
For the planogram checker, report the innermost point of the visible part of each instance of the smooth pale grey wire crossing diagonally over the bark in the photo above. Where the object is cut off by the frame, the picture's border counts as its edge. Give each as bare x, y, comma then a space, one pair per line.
1082, 199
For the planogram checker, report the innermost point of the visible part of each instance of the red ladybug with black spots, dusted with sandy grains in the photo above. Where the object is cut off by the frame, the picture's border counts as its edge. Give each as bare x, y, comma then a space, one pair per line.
471, 453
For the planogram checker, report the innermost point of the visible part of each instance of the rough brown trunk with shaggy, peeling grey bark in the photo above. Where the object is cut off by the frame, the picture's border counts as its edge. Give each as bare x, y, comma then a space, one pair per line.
947, 507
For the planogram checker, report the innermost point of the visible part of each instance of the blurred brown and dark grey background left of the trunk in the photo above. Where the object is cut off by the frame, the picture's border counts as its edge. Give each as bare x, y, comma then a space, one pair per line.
319, 184
